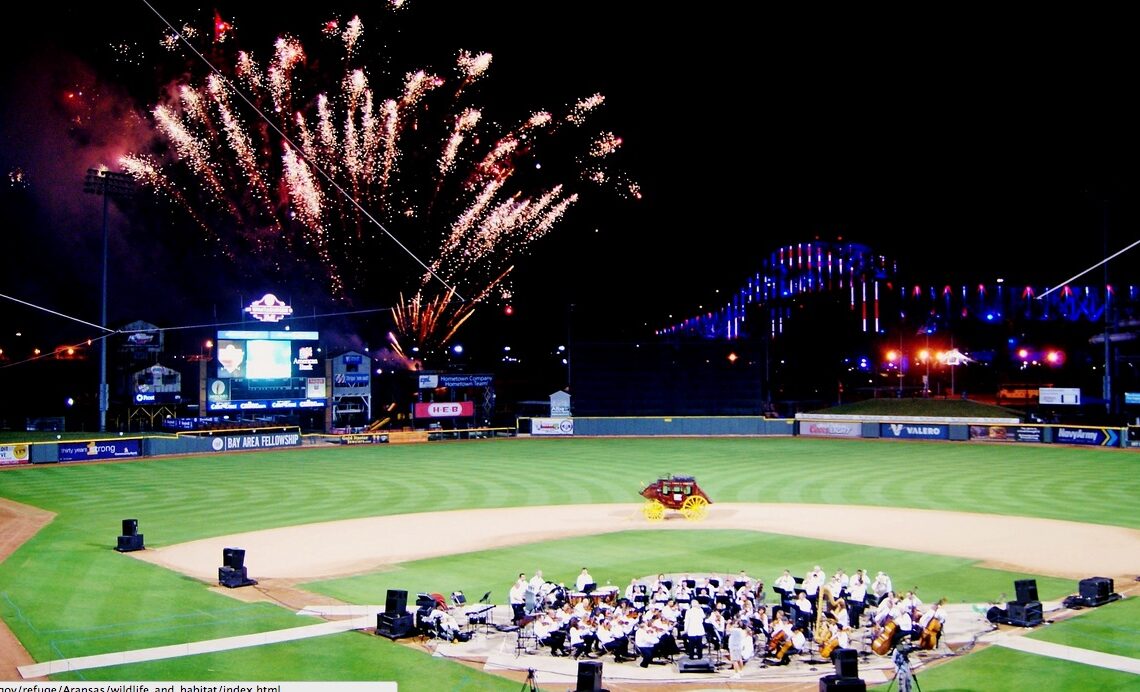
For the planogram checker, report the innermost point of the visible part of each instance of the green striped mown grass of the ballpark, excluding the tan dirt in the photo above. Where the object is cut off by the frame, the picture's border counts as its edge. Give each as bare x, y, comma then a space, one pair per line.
67, 593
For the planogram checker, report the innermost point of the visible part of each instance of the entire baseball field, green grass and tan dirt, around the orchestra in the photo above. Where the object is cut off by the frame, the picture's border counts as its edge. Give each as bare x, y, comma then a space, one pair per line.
960, 522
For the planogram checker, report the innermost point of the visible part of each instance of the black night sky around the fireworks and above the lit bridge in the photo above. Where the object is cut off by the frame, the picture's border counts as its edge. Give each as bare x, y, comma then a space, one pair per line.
967, 145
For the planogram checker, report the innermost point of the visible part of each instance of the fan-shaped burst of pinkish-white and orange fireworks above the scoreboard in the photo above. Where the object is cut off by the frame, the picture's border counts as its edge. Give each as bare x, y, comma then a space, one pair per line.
315, 174
